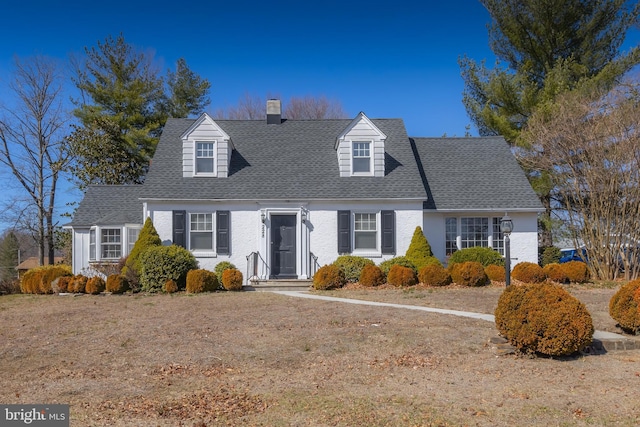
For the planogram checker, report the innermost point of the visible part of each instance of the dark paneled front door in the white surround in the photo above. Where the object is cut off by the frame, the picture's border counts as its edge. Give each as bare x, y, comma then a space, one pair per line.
283, 246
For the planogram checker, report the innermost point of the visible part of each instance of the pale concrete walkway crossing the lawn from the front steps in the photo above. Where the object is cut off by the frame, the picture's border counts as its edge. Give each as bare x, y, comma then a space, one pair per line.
609, 340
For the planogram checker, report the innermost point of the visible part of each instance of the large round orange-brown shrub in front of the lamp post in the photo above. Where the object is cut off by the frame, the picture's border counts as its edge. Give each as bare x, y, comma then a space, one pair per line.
543, 318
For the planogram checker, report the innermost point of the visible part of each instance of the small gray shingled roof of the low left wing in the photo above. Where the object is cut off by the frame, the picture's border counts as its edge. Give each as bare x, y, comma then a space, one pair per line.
109, 205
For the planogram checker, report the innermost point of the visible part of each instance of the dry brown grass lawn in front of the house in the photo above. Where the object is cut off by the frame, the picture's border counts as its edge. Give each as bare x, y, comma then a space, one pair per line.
261, 359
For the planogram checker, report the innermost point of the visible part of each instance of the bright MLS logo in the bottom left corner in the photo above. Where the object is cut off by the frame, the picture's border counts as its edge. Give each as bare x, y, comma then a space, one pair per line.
34, 415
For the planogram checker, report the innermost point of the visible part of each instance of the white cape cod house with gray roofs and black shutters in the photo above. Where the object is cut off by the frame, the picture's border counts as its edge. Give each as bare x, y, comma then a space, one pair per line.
278, 197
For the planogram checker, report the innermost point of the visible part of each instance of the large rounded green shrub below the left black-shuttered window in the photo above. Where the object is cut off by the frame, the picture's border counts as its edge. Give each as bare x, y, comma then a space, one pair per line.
161, 263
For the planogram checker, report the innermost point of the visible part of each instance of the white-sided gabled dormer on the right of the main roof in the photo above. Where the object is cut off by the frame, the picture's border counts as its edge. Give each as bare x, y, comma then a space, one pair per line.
360, 148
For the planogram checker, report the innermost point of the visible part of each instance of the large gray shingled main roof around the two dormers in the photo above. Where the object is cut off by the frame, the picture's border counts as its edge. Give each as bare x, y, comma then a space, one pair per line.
293, 160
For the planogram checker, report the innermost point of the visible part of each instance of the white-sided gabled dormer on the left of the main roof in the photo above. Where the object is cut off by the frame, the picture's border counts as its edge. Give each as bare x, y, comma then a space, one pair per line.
206, 149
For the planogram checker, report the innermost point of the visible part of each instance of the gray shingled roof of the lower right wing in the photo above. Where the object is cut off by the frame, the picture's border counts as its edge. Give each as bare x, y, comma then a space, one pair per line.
473, 174
